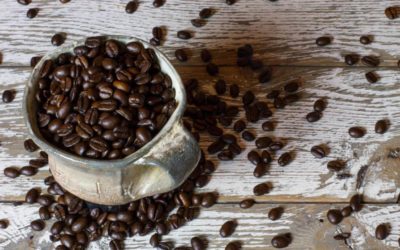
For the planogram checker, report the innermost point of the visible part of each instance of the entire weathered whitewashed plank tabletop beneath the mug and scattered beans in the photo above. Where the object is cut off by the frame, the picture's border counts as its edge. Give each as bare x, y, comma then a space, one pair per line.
283, 34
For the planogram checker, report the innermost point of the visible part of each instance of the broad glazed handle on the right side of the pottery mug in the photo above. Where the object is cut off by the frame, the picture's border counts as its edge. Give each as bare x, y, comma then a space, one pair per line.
166, 166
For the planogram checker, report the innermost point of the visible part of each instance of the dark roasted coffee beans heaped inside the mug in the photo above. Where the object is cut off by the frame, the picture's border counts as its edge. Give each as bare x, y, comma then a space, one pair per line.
105, 101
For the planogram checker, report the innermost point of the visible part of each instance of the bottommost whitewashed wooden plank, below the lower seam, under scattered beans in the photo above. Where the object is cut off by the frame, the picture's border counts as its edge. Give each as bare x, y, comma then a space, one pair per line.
254, 229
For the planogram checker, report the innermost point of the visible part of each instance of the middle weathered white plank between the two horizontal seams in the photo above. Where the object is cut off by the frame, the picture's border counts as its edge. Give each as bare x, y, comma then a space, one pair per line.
351, 101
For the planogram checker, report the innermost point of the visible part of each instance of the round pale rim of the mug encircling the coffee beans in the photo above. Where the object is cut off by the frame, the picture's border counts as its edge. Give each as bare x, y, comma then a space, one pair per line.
96, 163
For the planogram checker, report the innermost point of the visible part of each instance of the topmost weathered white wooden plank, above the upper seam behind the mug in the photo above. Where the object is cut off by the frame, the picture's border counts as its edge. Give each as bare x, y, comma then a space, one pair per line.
282, 32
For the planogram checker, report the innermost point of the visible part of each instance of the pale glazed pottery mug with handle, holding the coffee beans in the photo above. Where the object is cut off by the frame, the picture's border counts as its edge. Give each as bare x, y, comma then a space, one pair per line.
161, 165
